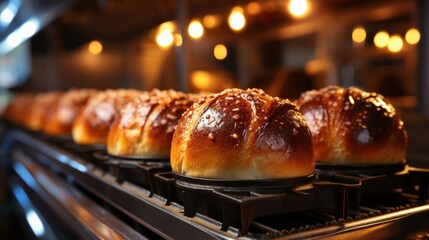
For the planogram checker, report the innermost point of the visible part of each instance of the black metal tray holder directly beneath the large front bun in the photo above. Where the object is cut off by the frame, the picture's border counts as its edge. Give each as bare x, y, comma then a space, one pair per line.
238, 203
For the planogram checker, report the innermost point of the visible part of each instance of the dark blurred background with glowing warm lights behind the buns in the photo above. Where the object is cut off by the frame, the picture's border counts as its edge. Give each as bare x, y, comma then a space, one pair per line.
282, 46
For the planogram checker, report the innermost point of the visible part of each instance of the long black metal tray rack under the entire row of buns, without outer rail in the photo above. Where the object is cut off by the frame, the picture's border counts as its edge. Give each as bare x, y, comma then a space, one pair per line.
343, 198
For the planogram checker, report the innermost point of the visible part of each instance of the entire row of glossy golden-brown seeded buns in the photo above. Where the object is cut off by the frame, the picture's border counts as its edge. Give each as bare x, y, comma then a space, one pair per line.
235, 134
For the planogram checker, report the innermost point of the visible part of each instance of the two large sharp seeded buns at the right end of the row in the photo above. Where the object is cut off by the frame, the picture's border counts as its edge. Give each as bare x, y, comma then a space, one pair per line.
246, 134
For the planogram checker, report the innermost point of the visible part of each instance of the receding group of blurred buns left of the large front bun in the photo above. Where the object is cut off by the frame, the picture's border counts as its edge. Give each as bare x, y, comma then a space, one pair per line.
128, 122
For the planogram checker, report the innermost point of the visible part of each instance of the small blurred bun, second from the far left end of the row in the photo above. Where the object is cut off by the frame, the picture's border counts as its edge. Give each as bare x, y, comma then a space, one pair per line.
39, 108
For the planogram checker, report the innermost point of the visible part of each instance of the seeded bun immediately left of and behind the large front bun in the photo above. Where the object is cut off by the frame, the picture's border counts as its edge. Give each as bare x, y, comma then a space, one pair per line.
145, 126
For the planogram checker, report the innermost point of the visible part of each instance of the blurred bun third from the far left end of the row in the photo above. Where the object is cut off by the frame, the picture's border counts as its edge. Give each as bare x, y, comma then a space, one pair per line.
60, 117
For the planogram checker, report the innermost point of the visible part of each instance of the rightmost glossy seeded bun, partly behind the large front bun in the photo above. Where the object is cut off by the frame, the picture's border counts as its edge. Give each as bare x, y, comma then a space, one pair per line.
353, 127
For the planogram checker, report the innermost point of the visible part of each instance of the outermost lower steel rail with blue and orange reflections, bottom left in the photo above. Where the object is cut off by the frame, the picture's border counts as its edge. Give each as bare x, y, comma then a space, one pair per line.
86, 218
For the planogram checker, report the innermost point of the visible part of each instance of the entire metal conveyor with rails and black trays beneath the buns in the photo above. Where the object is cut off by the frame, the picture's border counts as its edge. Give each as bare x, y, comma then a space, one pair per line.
337, 206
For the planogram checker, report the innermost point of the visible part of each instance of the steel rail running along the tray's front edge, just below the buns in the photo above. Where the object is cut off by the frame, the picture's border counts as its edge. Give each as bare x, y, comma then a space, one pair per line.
167, 221
